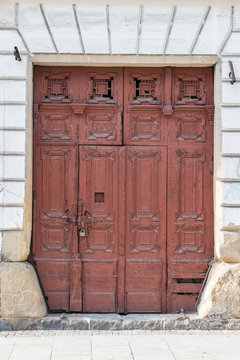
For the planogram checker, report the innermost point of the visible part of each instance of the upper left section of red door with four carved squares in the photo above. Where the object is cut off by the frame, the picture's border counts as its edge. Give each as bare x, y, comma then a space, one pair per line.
80, 104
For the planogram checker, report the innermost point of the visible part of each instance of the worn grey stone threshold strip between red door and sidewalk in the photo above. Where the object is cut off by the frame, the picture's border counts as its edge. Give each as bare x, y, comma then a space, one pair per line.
114, 322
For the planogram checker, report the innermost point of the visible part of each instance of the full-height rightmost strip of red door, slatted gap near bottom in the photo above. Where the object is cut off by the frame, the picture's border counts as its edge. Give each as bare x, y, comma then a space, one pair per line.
190, 181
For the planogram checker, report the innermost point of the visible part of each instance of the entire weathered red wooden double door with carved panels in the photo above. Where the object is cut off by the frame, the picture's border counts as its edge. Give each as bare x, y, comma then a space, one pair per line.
122, 217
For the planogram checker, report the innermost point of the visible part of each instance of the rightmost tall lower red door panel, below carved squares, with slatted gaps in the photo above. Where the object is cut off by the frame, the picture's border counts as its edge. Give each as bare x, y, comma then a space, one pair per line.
190, 215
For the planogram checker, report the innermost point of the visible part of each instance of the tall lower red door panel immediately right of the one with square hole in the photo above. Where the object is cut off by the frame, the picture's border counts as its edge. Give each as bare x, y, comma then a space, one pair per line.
145, 229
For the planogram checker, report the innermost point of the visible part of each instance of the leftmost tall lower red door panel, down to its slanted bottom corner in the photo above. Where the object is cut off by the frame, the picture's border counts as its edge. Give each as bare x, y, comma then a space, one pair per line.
54, 236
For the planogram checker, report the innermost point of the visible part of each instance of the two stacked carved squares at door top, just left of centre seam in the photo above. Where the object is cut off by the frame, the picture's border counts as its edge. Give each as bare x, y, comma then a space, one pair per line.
100, 116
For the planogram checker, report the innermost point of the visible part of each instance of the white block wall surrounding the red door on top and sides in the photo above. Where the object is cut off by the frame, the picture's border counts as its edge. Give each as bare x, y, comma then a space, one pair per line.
151, 29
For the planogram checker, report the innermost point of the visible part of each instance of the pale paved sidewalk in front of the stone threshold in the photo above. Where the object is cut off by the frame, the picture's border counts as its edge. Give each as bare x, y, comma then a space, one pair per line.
120, 345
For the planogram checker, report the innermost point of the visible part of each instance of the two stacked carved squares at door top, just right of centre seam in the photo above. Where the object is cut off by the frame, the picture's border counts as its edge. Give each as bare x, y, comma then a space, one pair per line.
144, 123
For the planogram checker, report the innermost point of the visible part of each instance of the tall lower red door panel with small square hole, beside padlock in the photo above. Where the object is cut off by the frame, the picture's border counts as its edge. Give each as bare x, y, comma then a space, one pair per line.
99, 193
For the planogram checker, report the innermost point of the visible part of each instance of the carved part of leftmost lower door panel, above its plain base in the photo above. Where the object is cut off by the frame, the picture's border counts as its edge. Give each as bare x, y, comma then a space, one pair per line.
55, 198
